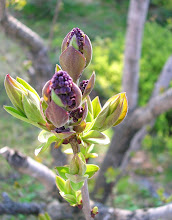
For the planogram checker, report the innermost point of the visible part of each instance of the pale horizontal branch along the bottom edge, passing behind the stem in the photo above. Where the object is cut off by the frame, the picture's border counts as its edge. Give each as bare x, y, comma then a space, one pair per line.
109, 213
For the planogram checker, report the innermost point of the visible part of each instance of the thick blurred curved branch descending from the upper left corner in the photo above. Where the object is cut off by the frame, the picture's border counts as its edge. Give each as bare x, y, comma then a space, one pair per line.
29, 39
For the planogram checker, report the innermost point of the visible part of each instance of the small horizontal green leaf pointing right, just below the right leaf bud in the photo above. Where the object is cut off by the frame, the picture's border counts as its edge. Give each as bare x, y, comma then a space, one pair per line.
96, 137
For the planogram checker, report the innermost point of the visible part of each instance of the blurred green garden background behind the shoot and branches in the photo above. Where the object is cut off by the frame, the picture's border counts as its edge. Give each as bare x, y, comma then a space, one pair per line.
104, 21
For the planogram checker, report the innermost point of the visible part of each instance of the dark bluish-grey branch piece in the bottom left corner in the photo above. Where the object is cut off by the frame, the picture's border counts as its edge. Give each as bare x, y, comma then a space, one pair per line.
13, 208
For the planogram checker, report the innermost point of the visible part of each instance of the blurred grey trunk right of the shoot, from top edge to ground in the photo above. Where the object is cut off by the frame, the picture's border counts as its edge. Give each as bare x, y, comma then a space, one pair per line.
123, 133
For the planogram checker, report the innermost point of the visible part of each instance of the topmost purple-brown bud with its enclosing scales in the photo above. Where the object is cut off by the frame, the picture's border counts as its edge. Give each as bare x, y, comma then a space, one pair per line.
76, 53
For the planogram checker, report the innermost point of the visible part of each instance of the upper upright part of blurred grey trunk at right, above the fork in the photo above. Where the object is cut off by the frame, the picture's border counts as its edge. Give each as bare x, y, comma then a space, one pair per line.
136, 18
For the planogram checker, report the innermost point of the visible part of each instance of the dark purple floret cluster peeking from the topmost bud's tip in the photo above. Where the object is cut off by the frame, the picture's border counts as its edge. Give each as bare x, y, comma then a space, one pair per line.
79, 38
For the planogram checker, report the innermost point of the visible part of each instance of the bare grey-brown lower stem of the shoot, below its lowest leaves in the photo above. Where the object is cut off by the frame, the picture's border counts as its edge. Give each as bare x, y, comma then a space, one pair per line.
86, 201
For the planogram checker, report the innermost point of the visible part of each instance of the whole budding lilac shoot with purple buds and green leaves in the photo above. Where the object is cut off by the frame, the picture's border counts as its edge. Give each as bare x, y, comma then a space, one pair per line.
67, 116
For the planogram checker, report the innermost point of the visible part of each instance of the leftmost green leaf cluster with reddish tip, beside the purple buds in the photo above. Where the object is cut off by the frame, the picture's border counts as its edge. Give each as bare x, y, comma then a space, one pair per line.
25, 100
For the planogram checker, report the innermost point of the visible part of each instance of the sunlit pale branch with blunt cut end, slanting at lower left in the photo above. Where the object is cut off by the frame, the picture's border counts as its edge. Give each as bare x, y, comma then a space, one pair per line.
27, 165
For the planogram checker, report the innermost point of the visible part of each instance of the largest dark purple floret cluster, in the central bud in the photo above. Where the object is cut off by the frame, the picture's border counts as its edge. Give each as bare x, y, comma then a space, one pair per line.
62, 84
